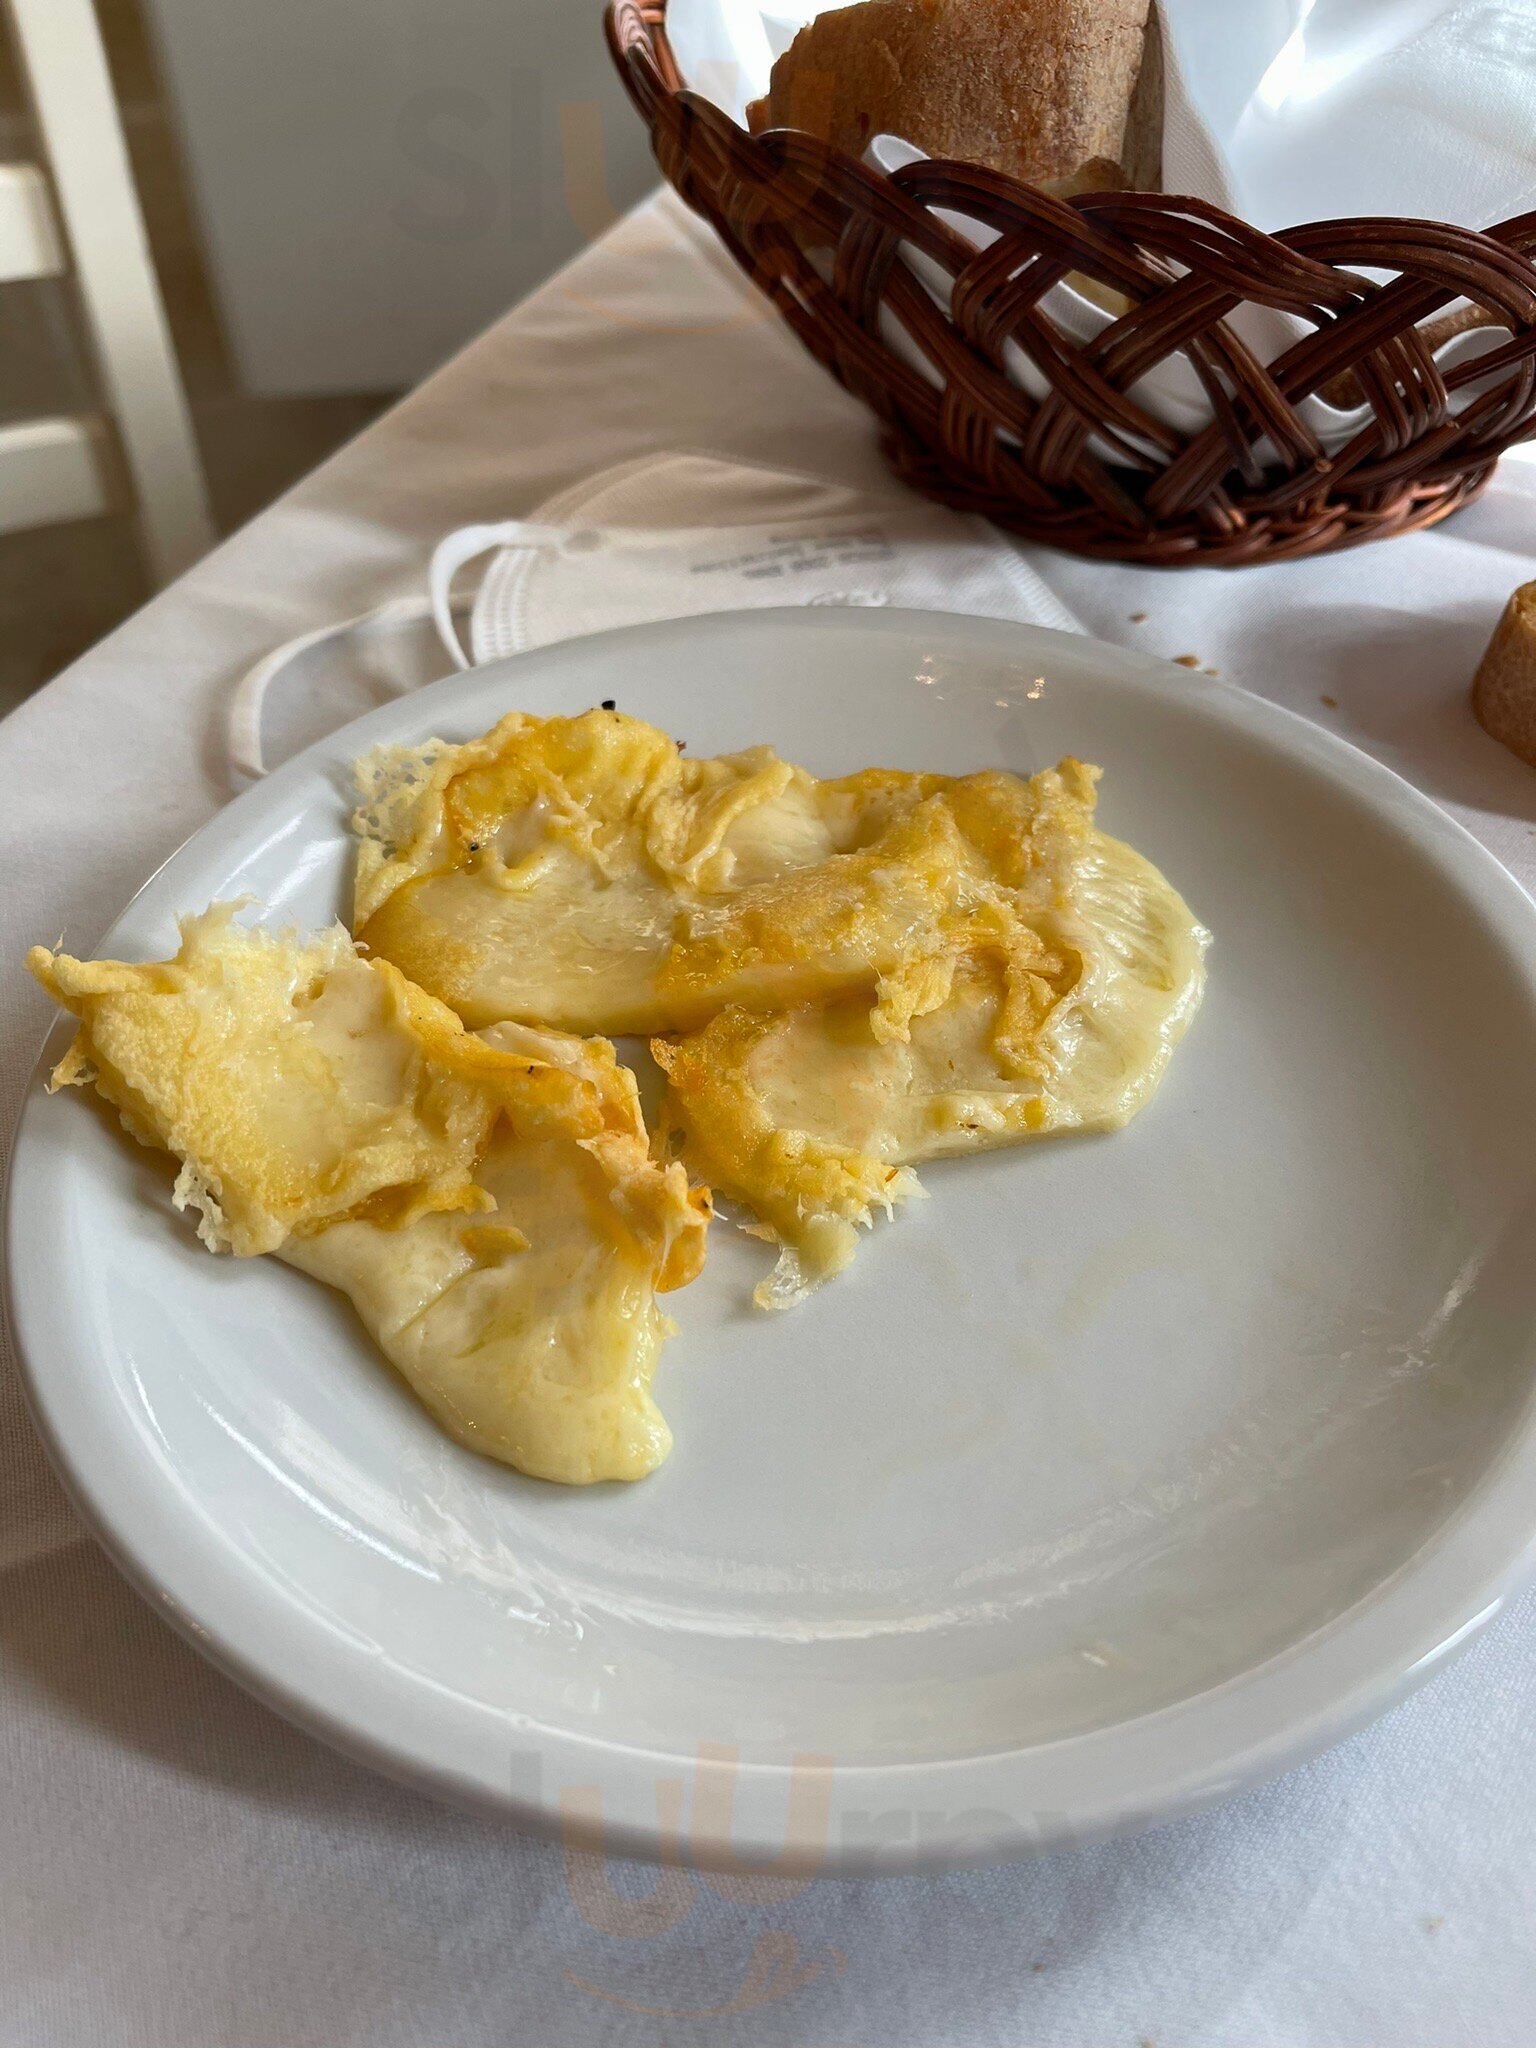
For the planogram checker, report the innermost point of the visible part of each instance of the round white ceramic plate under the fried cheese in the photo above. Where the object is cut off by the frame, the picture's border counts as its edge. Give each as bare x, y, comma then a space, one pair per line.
1113, 1478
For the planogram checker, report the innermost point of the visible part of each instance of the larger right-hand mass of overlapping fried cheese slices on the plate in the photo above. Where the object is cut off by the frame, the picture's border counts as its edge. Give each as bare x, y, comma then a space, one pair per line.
841, 978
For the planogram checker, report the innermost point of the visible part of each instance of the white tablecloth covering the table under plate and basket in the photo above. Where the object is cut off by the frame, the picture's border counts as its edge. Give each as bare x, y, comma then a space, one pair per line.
183, 1871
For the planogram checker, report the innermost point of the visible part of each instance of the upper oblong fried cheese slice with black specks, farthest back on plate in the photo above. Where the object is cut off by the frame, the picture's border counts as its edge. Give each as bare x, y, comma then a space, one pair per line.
587, 873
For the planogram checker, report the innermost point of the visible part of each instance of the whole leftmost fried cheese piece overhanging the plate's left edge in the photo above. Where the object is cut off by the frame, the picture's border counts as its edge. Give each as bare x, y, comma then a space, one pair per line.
488, 1203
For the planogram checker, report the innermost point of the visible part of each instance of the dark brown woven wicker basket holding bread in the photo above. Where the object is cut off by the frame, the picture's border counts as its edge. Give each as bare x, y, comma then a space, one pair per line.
1084, 466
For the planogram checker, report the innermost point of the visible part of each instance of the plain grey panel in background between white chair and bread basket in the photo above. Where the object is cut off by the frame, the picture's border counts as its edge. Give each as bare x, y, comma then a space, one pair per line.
378, 181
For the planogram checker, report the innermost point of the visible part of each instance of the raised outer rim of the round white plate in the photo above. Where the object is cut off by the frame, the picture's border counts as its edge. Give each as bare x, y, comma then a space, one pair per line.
1318, 1689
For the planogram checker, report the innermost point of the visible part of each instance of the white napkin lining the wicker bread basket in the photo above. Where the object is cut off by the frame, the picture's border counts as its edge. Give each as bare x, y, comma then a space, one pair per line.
1304, 110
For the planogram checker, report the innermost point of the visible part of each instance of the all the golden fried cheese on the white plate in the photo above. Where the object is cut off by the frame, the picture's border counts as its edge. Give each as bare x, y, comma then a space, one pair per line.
841, 980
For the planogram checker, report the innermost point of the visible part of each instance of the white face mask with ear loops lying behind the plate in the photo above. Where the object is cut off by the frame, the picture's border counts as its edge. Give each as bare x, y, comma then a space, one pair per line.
660, 538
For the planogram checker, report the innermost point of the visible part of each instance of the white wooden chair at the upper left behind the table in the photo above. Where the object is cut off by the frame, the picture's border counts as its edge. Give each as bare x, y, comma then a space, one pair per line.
67, 468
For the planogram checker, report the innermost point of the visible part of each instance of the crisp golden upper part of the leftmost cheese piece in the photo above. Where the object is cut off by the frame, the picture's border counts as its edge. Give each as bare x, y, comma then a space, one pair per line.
300, 1082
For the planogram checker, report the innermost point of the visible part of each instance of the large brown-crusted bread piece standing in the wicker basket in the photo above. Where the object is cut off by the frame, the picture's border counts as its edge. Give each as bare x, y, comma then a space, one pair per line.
1060, 93
